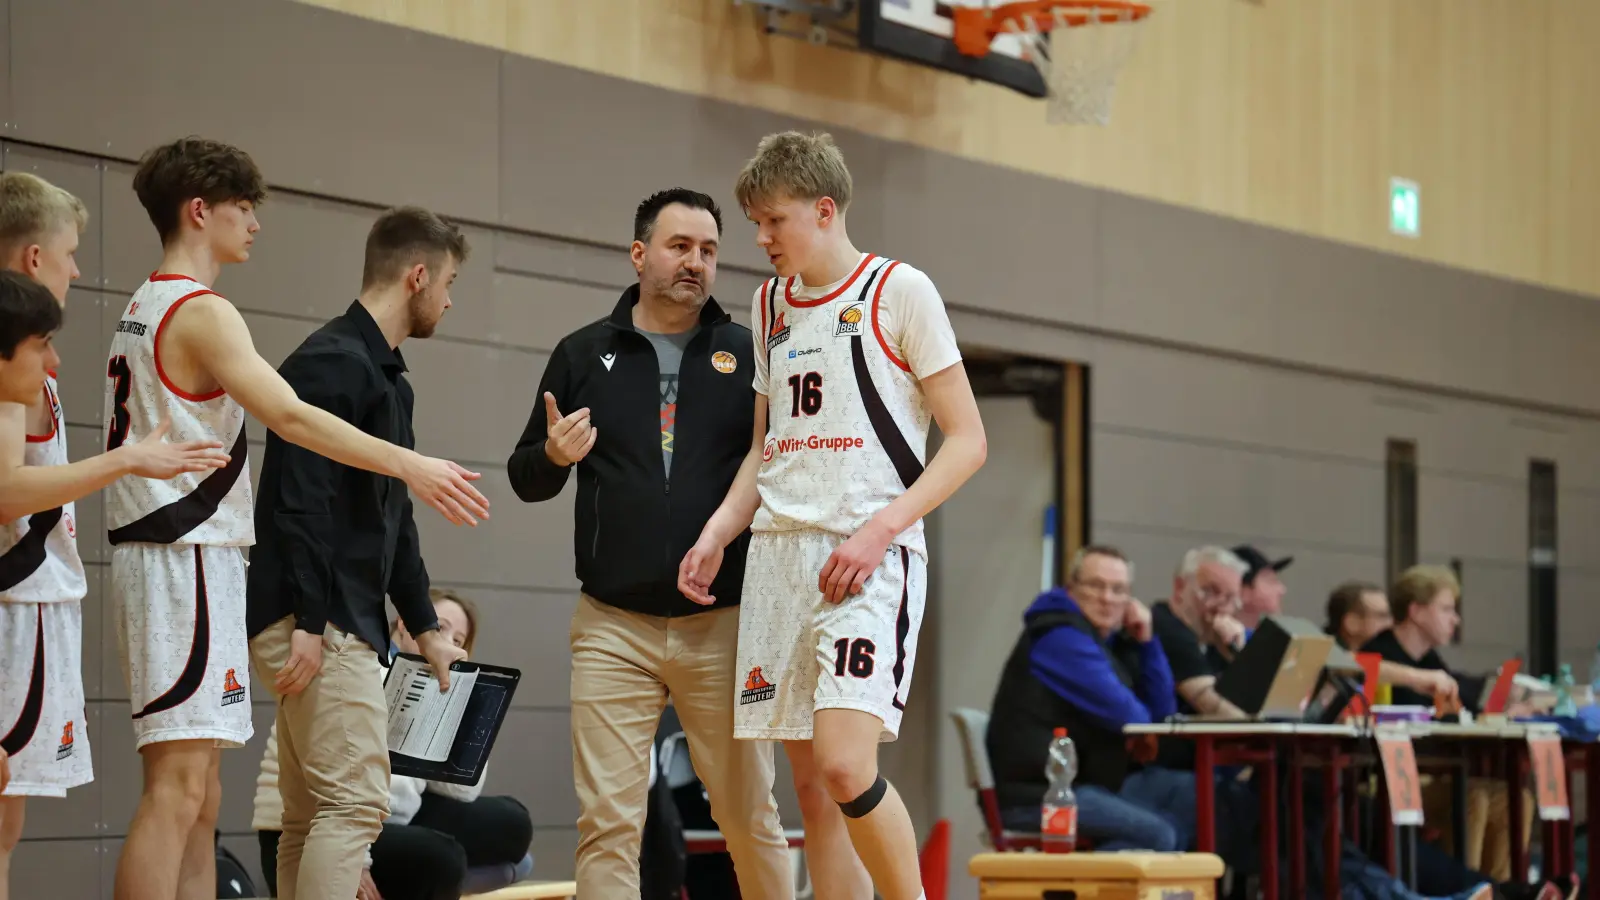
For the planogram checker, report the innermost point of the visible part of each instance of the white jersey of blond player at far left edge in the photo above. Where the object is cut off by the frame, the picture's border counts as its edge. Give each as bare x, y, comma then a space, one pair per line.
39, 555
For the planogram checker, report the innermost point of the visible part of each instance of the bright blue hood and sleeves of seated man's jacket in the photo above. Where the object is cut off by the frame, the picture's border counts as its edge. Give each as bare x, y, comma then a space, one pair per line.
1076, 667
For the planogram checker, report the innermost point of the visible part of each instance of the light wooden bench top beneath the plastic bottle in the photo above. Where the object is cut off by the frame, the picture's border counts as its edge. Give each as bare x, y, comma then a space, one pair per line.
1097, 877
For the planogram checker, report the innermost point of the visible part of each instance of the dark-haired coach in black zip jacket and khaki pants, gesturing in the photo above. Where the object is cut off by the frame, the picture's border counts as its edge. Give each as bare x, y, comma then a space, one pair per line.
654, 406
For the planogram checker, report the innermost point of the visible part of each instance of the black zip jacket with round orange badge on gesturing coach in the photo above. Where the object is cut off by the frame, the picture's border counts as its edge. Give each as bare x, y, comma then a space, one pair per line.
631, 523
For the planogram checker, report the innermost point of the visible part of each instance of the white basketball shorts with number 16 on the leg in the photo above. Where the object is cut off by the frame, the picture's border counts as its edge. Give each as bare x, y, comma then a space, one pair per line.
799, 653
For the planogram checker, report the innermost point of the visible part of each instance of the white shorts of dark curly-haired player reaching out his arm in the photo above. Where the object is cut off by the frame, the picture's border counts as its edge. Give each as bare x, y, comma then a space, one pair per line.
185, 651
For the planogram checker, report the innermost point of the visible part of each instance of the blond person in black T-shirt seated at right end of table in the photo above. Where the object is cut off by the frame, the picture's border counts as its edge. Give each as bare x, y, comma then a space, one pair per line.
1425, 603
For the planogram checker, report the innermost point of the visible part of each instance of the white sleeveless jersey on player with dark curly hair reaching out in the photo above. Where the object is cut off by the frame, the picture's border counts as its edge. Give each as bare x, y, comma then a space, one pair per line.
196, 508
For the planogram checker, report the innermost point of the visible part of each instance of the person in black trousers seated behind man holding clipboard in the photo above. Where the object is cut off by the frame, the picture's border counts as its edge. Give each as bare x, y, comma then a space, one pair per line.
441, 840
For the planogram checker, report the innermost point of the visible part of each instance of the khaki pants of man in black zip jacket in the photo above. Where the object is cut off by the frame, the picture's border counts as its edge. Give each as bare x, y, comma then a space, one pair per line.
625, 665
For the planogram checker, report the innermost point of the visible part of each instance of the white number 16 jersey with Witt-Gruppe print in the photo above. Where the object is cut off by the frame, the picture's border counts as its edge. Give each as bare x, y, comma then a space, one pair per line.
847, 422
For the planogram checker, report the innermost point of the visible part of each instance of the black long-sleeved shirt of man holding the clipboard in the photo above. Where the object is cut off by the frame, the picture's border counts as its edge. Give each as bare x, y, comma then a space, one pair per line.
332, 539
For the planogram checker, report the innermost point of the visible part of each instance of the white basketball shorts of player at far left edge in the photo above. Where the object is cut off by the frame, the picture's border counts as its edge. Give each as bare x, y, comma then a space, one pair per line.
42, 725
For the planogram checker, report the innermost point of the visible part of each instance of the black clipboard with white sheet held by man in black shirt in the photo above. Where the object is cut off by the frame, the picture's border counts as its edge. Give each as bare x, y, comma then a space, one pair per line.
446, 736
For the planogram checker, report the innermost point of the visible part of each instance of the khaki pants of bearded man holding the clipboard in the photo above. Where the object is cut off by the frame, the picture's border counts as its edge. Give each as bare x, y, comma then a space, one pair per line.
334, 763
